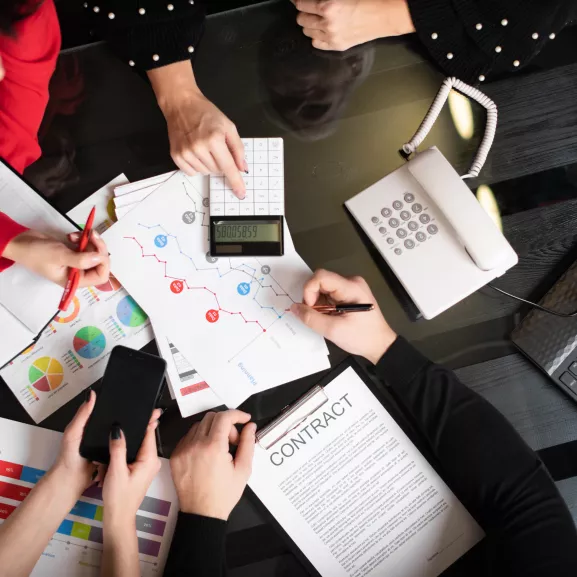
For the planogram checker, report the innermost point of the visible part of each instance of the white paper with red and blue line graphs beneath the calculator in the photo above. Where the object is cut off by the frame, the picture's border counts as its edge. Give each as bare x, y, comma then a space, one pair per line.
228, 317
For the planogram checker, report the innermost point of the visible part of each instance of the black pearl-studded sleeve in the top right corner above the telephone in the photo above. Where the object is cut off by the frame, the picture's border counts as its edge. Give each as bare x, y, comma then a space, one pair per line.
475, 39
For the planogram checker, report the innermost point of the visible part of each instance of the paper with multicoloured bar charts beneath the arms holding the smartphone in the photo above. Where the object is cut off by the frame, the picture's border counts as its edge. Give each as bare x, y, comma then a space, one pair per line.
76, 548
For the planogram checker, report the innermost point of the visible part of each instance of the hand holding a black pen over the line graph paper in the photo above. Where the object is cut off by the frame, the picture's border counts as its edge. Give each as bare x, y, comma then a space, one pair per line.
366, 333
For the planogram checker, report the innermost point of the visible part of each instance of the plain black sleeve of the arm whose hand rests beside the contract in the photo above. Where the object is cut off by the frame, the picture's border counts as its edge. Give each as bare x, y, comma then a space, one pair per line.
197, 548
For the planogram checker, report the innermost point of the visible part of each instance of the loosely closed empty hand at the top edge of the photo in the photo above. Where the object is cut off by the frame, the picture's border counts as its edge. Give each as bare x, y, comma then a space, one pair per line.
342, 24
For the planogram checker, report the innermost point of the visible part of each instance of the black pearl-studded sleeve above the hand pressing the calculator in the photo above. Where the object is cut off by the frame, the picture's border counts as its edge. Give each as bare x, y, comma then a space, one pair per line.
148, 34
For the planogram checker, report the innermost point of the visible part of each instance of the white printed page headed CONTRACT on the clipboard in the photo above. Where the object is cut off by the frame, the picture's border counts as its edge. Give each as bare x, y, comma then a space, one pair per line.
357, 497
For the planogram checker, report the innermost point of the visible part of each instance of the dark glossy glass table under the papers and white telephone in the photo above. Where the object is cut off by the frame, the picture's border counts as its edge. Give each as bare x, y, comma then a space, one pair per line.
344, 118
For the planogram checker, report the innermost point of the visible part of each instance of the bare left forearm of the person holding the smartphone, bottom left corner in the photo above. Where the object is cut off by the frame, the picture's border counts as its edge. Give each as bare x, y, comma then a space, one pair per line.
25, 534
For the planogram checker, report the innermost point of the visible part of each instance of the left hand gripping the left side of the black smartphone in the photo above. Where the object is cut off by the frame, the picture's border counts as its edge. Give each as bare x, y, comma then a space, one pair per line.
77, 472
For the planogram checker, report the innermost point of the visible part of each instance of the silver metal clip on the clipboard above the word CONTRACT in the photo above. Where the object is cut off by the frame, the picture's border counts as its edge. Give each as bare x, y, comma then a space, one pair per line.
291, 417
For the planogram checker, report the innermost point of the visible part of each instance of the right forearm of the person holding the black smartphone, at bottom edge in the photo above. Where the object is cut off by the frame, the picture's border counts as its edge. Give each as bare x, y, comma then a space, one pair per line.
120, 555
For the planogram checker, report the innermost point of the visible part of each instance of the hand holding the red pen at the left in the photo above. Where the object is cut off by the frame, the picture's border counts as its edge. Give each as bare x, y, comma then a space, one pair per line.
51, 258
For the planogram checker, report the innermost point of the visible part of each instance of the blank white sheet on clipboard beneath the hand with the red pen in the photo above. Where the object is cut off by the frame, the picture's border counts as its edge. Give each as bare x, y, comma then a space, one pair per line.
30, 298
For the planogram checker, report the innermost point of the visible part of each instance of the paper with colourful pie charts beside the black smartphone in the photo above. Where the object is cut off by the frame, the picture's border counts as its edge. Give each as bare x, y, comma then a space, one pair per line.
73, 350
